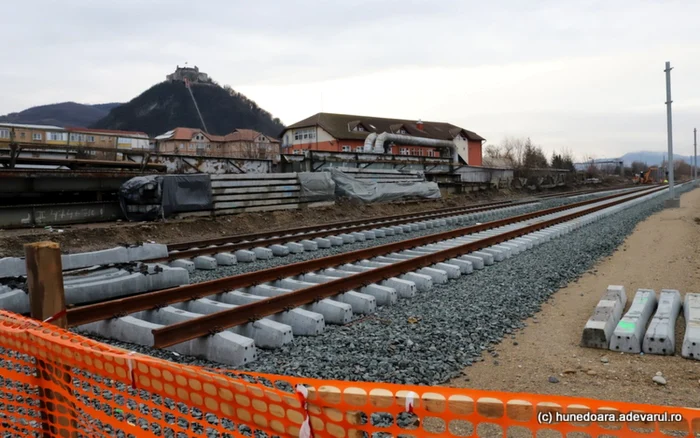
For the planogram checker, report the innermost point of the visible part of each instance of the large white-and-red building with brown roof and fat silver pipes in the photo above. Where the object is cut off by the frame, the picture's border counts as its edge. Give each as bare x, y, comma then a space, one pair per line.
351, 133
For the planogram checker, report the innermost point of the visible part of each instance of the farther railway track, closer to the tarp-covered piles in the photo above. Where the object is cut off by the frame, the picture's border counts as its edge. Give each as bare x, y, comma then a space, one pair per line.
264, 245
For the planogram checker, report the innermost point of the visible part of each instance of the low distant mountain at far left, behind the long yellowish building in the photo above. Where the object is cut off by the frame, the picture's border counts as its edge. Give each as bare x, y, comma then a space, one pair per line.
61, 114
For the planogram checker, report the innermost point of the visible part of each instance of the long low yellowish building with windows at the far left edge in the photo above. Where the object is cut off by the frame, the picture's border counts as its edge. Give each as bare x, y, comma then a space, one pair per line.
71, 136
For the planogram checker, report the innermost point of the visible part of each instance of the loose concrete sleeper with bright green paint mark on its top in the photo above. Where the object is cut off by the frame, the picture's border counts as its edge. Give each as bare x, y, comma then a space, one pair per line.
629, 333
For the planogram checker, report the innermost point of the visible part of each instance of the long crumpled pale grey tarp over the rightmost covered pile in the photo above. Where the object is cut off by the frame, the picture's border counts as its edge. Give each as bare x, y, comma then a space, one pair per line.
369, 191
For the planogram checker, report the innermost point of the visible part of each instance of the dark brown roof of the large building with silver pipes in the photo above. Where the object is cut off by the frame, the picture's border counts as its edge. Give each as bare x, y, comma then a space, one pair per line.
338, 126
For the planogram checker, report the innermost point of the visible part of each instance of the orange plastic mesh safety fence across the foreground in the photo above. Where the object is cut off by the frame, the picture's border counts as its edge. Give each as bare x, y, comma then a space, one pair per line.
54, 383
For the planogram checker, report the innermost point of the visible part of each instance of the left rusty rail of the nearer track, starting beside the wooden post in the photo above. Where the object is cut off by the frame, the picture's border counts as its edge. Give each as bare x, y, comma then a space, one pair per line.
123, 306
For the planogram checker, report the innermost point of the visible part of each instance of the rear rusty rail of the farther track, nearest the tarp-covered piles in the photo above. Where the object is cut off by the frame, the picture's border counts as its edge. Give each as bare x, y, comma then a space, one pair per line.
310, 228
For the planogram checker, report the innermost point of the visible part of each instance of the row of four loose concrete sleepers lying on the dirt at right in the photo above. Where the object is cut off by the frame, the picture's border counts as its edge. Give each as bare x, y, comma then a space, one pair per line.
648, 326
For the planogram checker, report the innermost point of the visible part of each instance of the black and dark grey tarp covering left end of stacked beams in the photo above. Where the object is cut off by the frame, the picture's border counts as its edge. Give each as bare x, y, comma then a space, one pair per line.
155, 196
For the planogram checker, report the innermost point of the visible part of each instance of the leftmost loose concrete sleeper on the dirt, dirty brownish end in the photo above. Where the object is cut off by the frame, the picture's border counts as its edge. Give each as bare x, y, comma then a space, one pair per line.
599, 328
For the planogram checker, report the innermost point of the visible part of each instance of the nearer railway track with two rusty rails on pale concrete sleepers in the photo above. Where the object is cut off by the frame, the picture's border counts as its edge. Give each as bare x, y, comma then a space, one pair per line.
225, 319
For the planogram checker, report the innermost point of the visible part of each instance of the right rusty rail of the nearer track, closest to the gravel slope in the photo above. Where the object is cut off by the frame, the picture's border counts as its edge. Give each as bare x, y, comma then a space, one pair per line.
216, 322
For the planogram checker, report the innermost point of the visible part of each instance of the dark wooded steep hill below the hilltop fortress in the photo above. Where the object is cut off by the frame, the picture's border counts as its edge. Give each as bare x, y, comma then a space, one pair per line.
168, 105
